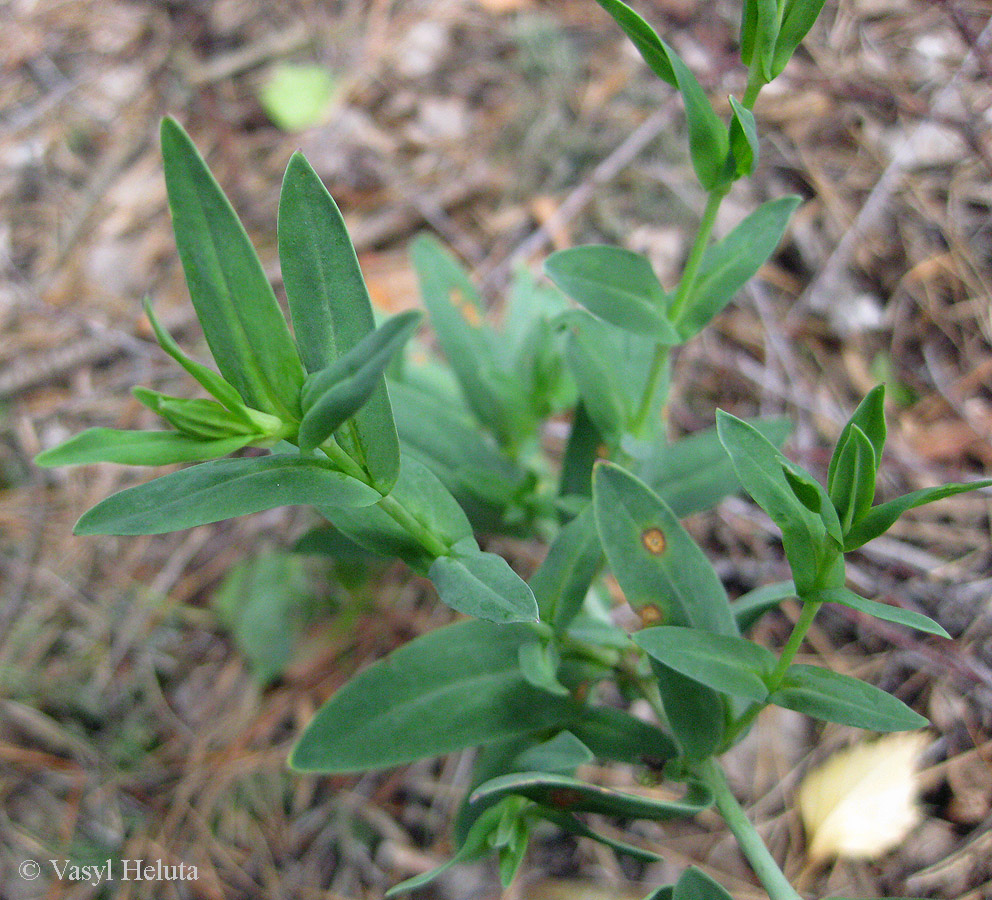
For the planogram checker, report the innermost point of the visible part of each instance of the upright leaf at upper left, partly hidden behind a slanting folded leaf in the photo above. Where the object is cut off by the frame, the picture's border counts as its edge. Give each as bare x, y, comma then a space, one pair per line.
330, 308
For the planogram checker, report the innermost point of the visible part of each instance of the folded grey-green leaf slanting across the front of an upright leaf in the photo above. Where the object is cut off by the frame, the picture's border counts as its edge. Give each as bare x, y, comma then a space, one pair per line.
334, 394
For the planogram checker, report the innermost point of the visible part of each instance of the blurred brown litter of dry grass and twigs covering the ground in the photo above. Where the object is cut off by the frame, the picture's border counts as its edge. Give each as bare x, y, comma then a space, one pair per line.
129, 727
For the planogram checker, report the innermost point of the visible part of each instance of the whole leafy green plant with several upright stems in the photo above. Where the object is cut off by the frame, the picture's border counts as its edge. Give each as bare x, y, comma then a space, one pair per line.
415, 470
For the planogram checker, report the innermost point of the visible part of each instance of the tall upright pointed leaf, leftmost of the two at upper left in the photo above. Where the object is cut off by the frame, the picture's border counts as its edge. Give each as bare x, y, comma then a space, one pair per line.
234, 301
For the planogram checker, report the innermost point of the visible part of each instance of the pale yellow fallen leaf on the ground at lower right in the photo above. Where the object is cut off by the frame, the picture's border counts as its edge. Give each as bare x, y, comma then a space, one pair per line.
862, 801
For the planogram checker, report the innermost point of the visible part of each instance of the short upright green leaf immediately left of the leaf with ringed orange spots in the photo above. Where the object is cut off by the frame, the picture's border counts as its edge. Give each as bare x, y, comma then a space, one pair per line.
562, 581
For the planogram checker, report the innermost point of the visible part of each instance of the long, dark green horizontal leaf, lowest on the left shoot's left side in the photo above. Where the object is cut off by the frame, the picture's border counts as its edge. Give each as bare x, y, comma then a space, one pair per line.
223, 489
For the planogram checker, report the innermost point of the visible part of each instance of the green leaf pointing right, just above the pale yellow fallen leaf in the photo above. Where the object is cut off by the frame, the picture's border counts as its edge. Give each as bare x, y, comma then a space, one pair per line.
838, 698
